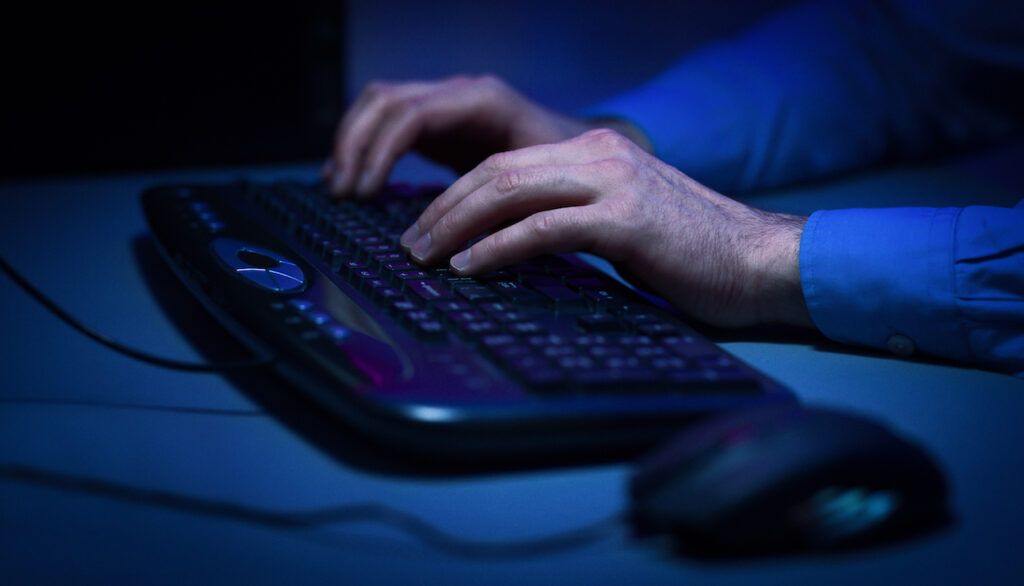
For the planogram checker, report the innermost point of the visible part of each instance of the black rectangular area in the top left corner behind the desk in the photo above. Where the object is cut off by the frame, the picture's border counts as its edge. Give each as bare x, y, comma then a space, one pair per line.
162, 86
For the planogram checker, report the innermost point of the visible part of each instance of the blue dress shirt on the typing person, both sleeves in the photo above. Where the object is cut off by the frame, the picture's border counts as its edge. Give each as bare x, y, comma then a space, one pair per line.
834, 87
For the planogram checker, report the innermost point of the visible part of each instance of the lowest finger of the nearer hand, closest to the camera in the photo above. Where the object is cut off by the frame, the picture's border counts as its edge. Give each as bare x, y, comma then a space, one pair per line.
549, 232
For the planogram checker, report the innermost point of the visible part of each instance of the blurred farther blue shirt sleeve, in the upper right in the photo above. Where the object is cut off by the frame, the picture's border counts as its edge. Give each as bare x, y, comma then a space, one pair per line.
836, 86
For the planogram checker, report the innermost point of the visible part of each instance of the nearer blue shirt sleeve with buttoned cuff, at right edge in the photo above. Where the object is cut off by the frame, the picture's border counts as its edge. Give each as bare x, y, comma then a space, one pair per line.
948, 282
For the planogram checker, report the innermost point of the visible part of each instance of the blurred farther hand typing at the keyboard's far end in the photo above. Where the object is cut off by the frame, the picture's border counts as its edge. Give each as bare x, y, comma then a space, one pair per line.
457, 122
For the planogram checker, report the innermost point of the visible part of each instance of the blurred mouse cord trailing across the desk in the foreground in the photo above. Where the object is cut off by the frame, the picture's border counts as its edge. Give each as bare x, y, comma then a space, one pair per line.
320, 519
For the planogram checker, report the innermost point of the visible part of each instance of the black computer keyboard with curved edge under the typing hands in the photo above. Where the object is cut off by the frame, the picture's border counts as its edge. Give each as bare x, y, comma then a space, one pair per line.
550, 356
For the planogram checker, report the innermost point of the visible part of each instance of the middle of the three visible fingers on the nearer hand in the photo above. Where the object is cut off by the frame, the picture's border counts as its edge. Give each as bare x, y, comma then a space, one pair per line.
510, 196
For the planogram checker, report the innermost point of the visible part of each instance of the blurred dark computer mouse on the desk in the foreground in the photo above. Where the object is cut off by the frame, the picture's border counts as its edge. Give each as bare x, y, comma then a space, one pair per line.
787, 479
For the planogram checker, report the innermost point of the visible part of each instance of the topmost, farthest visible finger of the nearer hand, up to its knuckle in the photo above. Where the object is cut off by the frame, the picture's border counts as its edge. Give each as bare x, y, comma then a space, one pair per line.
574, 152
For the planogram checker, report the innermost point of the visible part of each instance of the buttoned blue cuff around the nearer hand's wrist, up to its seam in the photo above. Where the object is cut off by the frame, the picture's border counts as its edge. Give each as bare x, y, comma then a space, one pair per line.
884, 278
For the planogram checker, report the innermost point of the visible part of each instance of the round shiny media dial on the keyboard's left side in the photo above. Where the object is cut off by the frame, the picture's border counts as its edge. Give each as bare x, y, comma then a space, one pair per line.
260, 267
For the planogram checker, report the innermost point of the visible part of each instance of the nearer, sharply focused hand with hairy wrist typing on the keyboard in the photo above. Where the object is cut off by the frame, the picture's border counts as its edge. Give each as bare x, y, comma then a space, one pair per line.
716, 260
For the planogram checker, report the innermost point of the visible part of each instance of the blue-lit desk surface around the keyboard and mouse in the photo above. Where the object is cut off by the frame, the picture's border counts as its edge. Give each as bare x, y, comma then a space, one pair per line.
79, 412
